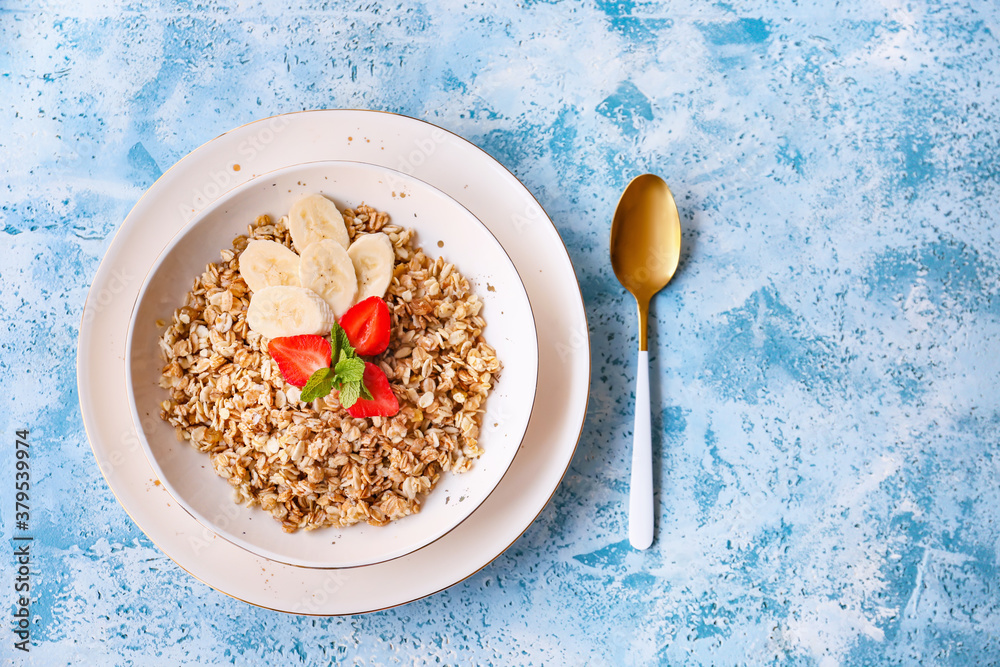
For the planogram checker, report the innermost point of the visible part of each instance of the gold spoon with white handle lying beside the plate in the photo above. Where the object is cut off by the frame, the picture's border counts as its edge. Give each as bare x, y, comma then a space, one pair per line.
645, 249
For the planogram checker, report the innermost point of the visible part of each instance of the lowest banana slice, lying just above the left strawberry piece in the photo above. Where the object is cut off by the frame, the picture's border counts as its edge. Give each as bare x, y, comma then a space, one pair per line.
283, 310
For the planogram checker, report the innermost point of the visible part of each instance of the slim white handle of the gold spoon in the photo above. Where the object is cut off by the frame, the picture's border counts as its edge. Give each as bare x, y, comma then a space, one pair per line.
640, 503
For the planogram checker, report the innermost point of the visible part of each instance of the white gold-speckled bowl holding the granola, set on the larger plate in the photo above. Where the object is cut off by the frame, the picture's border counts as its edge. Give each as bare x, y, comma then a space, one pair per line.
188, 474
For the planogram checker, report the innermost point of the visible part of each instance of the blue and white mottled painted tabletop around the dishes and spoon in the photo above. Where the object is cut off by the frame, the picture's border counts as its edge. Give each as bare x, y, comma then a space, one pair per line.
826, 362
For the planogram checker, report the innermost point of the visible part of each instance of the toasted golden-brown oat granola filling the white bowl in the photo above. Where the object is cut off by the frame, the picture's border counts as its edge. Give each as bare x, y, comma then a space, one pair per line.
313, 465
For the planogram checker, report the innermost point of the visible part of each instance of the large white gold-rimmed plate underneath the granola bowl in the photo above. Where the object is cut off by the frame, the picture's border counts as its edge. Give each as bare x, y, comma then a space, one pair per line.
447, 162
